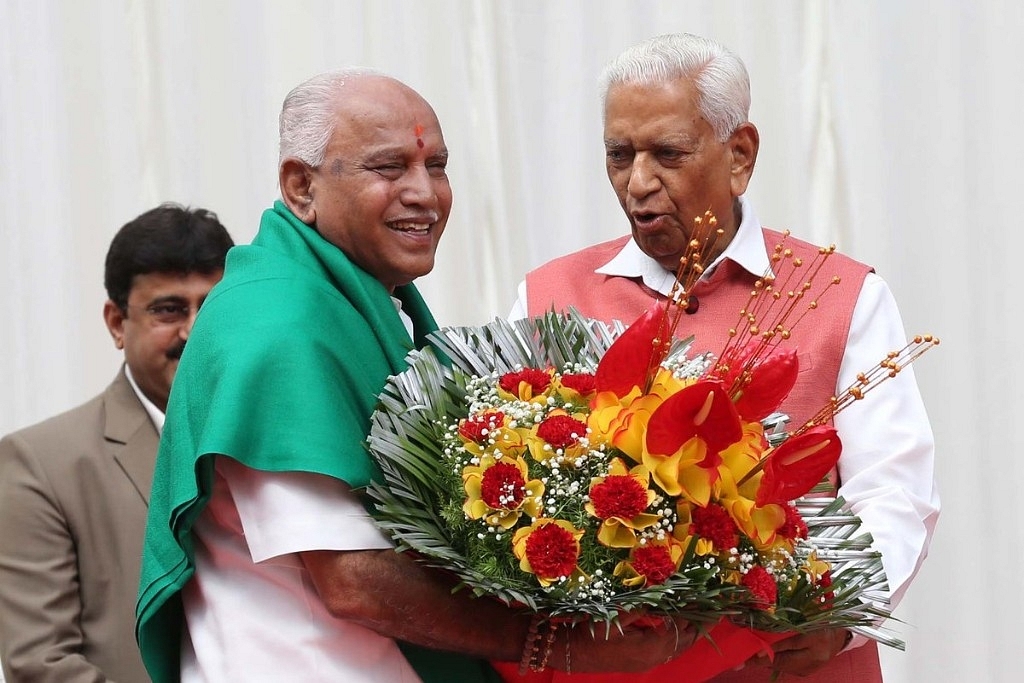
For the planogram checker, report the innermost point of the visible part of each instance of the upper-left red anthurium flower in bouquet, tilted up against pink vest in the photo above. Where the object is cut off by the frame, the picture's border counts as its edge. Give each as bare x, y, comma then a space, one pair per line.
629, 362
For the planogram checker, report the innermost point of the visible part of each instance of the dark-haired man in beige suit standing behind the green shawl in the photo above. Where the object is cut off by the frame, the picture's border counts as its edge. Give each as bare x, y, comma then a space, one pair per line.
74, 489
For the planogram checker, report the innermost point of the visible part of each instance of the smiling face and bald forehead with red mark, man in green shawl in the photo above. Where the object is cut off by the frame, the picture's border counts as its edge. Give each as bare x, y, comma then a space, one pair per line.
382, 194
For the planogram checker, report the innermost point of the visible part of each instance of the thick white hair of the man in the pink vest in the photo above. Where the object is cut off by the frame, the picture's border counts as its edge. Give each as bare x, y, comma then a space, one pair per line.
720, 77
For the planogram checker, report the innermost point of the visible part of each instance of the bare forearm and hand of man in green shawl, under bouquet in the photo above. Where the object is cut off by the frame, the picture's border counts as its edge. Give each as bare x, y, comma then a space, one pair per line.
392, 594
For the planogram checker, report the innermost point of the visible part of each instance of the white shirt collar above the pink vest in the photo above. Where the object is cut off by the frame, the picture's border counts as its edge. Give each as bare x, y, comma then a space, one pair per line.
747, 249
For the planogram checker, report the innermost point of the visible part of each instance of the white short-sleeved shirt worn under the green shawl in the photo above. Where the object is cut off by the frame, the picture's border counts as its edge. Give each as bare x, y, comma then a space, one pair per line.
251, 610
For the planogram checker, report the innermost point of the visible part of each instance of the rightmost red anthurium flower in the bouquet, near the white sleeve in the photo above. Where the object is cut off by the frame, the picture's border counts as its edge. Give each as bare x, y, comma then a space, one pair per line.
798, 465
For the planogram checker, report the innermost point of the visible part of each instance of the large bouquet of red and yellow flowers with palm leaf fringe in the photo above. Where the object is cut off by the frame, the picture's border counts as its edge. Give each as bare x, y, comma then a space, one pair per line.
580, 471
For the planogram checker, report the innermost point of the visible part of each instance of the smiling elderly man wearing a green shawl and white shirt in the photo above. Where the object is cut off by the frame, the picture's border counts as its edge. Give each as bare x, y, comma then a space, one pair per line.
262, 563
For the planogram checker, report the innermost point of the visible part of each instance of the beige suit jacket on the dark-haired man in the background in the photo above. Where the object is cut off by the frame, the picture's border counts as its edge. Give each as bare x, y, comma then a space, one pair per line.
74, 492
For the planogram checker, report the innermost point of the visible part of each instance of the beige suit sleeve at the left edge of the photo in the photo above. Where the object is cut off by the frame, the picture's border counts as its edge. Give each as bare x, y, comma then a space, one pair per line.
40, 609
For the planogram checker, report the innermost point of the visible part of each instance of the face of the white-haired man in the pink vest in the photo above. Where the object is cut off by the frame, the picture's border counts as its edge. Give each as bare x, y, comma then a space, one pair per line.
668, 166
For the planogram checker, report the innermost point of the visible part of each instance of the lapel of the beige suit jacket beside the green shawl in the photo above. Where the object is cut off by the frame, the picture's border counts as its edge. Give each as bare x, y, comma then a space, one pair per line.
131, 435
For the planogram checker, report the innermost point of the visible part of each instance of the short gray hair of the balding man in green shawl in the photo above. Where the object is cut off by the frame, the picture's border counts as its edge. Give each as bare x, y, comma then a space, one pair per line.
309, 115
